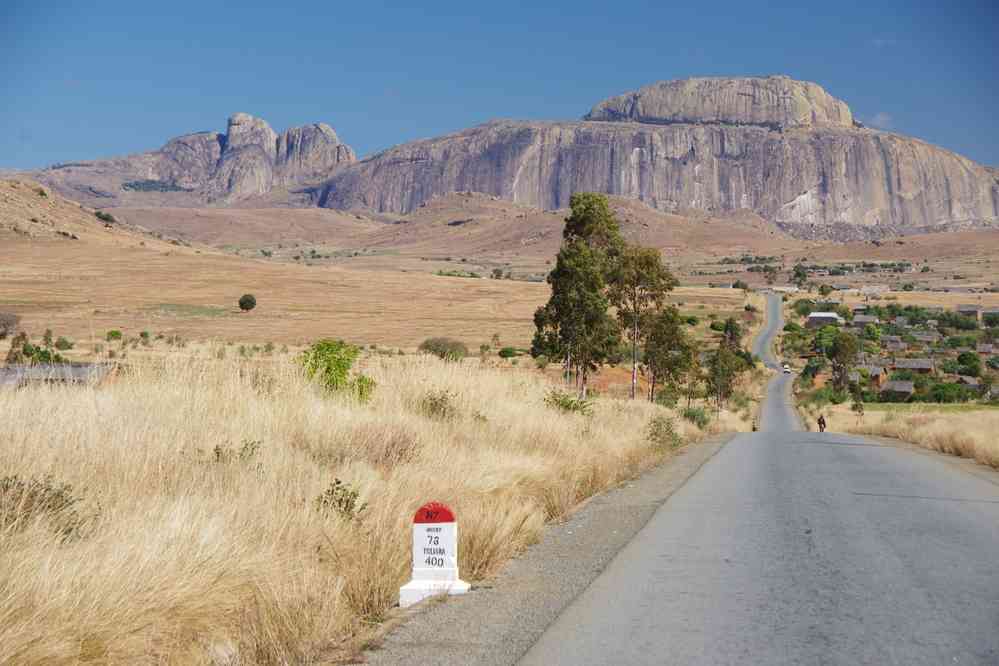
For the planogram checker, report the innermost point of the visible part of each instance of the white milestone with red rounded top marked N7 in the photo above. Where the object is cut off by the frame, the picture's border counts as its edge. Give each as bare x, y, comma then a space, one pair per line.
435, 556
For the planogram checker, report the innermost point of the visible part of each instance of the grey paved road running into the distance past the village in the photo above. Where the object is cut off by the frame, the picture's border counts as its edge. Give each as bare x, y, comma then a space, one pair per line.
793, 547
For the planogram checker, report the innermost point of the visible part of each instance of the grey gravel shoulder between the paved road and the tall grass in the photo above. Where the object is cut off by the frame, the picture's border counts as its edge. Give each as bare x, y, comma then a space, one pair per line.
499, 620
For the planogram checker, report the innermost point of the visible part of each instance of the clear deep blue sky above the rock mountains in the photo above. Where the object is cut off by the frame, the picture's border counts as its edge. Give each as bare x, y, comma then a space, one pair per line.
87, 80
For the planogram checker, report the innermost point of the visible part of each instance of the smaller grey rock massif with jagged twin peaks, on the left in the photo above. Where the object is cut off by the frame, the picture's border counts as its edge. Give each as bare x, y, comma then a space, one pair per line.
249, 160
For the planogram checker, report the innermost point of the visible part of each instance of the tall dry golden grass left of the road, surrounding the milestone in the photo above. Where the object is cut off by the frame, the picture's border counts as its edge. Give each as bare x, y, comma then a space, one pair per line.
199, 539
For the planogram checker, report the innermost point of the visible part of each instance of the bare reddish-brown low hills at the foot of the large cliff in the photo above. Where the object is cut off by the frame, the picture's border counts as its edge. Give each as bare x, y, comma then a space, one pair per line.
487, 232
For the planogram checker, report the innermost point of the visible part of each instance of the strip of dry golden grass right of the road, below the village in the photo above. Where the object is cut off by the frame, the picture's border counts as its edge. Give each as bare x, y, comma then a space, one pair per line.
965, 432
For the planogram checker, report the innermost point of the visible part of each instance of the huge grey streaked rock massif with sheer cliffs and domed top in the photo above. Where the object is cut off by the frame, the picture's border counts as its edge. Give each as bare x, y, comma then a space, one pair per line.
785, 149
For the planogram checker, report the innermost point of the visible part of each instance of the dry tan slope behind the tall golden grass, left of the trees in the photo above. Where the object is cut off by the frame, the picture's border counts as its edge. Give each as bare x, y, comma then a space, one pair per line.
122, 278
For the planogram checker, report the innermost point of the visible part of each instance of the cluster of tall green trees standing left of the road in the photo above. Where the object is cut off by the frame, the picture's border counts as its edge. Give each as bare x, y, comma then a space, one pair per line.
596, 272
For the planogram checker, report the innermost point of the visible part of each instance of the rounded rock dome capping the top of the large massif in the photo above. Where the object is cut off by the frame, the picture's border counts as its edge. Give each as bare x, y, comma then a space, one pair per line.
776, 102
